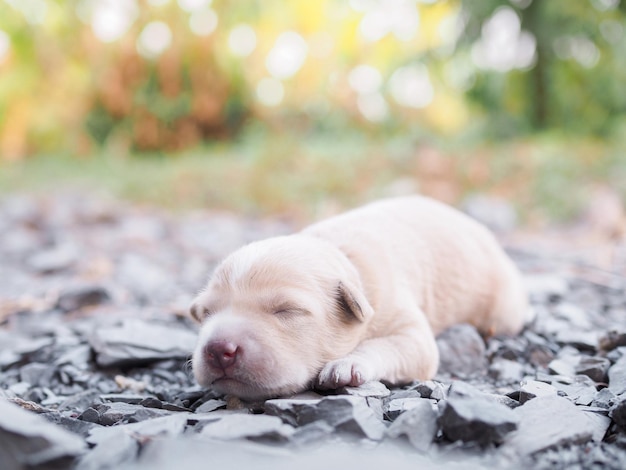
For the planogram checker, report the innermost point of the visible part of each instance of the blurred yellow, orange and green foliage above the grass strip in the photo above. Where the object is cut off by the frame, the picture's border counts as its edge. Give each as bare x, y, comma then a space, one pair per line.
167, 75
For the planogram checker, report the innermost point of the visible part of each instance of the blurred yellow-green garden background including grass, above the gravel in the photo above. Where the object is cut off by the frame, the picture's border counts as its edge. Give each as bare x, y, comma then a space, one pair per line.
299, 108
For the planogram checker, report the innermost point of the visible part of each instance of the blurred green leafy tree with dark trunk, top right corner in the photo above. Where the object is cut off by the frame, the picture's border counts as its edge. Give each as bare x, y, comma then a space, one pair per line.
572, 81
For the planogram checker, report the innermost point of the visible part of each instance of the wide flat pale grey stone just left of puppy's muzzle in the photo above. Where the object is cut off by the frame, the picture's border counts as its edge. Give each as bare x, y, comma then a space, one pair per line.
135, 342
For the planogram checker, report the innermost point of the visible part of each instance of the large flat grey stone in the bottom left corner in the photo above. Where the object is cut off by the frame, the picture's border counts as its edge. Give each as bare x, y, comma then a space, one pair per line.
28, 440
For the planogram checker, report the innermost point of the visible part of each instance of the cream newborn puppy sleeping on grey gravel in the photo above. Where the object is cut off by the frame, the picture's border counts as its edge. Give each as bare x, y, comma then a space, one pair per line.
358, 297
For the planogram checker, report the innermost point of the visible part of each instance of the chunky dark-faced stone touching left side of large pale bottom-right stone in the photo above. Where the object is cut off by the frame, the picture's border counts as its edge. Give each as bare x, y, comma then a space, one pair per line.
475, 419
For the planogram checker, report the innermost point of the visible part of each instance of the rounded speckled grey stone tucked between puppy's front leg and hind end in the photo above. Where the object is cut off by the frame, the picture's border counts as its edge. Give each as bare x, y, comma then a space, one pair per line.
461, 352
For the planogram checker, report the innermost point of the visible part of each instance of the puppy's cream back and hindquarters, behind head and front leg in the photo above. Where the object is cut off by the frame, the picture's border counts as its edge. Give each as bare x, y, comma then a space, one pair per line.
415, 248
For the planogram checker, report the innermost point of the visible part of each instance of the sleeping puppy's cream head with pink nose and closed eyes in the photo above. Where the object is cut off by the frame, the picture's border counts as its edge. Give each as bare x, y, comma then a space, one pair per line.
274, 313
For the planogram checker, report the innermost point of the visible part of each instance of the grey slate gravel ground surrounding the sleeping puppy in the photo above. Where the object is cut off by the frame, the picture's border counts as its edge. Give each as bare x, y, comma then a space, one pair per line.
94, 344
